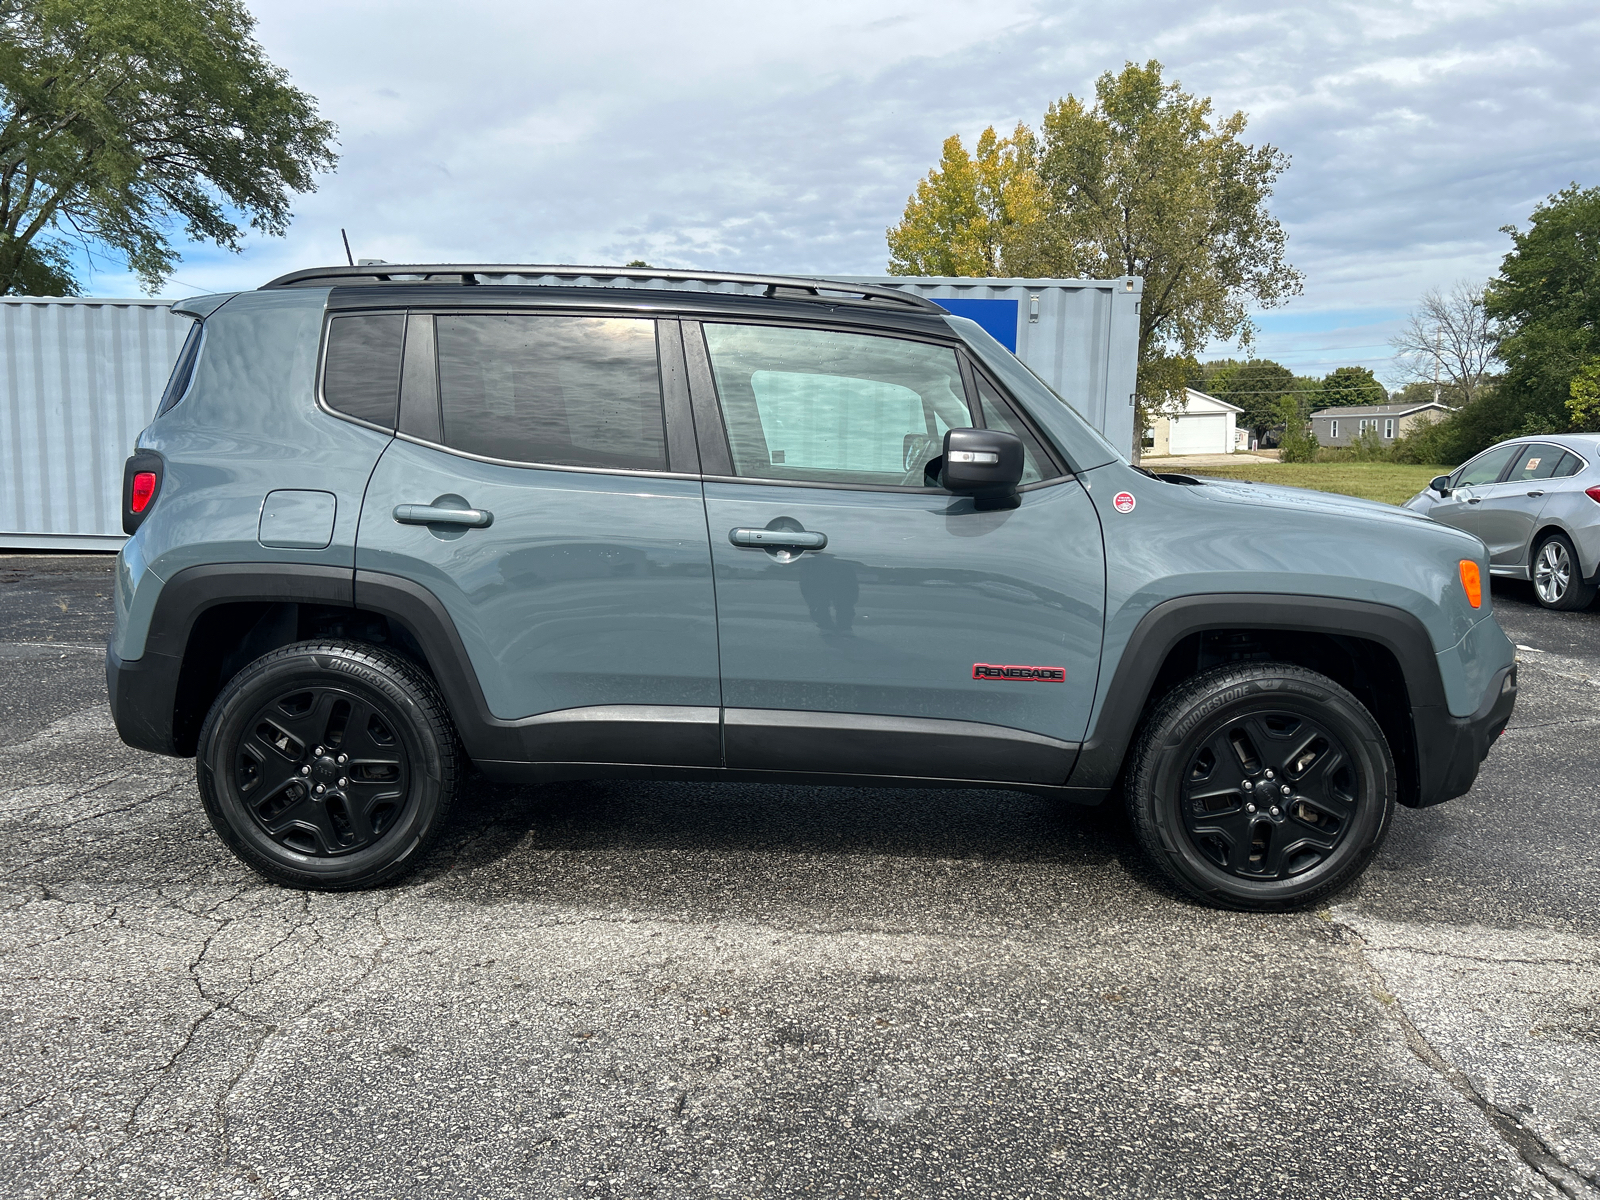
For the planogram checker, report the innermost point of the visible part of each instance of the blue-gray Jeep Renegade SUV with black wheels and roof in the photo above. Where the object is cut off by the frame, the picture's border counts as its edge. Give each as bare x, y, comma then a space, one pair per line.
751, 529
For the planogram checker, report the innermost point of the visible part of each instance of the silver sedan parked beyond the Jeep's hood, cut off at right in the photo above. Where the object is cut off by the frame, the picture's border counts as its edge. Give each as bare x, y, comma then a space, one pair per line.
1537, 505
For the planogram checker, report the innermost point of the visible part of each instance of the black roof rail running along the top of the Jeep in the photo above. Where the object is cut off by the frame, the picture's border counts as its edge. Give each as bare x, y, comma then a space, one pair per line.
465, 276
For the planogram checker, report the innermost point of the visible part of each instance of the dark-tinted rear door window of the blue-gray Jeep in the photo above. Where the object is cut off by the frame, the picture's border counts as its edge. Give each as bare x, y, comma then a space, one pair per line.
567, 391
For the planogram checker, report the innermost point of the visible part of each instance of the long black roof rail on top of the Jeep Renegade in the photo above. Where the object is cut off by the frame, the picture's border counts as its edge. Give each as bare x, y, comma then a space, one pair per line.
793, 287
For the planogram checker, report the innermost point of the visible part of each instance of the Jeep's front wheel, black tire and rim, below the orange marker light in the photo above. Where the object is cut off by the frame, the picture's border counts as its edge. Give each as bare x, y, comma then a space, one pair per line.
1255, 724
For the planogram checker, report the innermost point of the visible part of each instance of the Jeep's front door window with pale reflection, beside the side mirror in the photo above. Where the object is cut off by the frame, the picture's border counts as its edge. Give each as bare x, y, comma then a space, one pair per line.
834, 407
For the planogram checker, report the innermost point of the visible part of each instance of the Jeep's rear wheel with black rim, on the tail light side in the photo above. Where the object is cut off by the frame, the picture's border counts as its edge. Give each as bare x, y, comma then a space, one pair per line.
326, 822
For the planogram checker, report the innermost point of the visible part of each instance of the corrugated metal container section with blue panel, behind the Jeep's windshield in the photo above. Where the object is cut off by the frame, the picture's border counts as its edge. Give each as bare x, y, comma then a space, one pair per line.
1078, 335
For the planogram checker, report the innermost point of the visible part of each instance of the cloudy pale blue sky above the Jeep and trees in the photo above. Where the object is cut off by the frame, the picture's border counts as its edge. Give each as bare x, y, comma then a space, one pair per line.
786, 137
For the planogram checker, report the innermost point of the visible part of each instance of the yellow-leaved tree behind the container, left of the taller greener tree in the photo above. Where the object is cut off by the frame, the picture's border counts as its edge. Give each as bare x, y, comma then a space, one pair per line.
966, 215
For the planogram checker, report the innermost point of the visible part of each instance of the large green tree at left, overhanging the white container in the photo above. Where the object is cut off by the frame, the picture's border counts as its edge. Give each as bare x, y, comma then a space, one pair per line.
122, 119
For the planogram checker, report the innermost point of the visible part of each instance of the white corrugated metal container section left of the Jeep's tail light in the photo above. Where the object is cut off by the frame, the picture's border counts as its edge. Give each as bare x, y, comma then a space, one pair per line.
79, 380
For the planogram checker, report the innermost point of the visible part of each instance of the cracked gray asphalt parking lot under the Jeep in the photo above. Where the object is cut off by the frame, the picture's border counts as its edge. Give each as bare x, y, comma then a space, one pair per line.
668, 991
